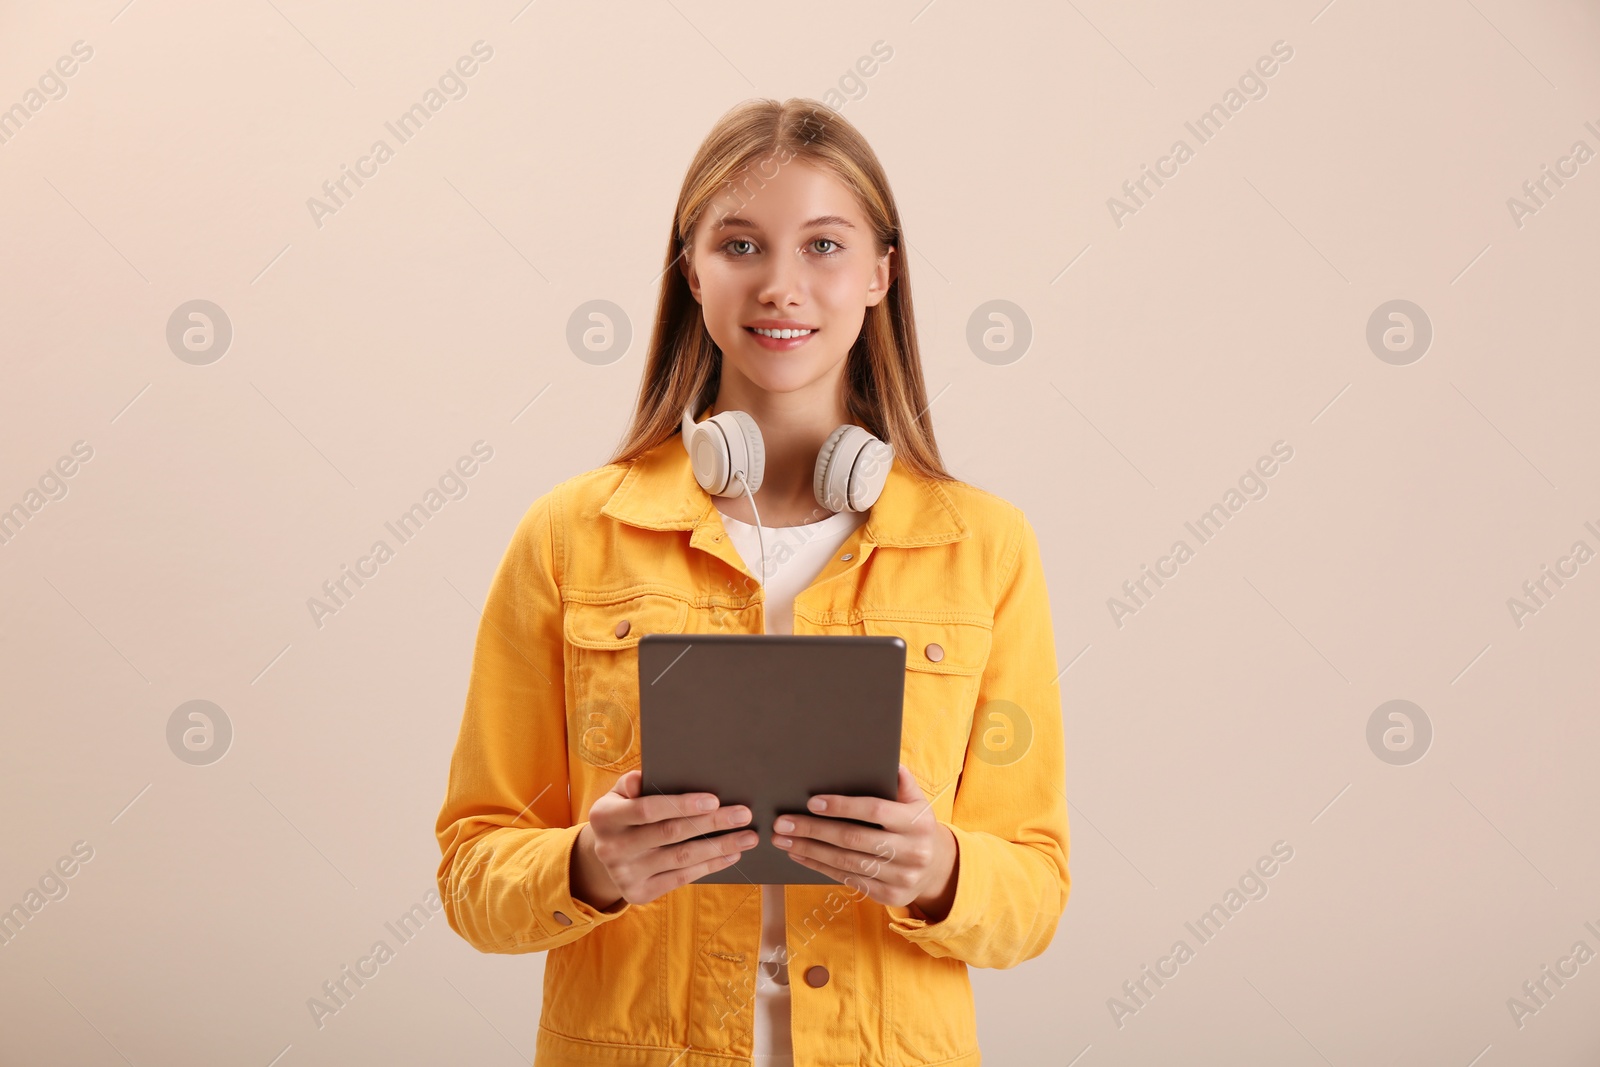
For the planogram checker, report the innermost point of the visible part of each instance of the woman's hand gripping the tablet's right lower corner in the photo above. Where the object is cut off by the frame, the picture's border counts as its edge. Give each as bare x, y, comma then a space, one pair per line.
911, 861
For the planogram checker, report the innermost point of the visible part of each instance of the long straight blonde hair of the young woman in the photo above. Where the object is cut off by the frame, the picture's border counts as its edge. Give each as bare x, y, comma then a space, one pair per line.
884, 385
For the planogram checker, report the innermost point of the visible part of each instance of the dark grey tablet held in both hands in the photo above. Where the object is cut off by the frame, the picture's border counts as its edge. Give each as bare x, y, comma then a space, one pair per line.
769, 721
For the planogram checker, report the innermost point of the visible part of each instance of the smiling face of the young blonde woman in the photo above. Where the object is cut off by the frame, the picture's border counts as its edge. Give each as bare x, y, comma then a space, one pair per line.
793, 254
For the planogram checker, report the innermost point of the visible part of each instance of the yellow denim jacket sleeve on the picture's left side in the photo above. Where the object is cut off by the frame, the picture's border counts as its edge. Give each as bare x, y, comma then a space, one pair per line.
506, 828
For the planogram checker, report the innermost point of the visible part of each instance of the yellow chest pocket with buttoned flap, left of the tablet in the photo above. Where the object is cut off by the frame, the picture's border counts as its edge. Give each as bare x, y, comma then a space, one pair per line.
602, 649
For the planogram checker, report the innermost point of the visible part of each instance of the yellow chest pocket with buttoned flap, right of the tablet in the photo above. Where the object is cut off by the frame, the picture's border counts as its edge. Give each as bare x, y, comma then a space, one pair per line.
945, 663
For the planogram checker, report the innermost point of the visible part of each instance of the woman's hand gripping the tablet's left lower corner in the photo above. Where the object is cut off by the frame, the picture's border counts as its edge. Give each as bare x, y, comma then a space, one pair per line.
642, 844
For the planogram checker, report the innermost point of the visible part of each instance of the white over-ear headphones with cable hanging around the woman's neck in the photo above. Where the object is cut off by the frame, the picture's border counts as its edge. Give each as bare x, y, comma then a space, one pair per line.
729, 460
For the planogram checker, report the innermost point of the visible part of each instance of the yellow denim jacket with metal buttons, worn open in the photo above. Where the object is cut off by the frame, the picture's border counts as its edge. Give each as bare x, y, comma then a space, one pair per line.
553, 721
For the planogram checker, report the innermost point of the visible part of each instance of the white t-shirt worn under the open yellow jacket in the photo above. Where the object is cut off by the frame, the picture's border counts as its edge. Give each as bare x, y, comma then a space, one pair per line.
794, 557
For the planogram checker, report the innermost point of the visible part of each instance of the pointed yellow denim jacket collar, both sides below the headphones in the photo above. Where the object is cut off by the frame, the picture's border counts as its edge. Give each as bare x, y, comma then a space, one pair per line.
660, 494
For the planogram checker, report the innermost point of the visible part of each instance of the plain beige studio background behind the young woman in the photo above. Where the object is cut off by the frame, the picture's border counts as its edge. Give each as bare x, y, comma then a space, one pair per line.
1169, 354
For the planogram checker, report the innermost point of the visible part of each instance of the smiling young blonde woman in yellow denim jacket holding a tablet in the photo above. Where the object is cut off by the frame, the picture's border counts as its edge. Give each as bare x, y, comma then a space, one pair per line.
780, 476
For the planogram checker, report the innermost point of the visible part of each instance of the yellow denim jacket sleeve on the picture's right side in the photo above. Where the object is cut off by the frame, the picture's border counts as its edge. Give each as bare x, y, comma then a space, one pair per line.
1010, 810
